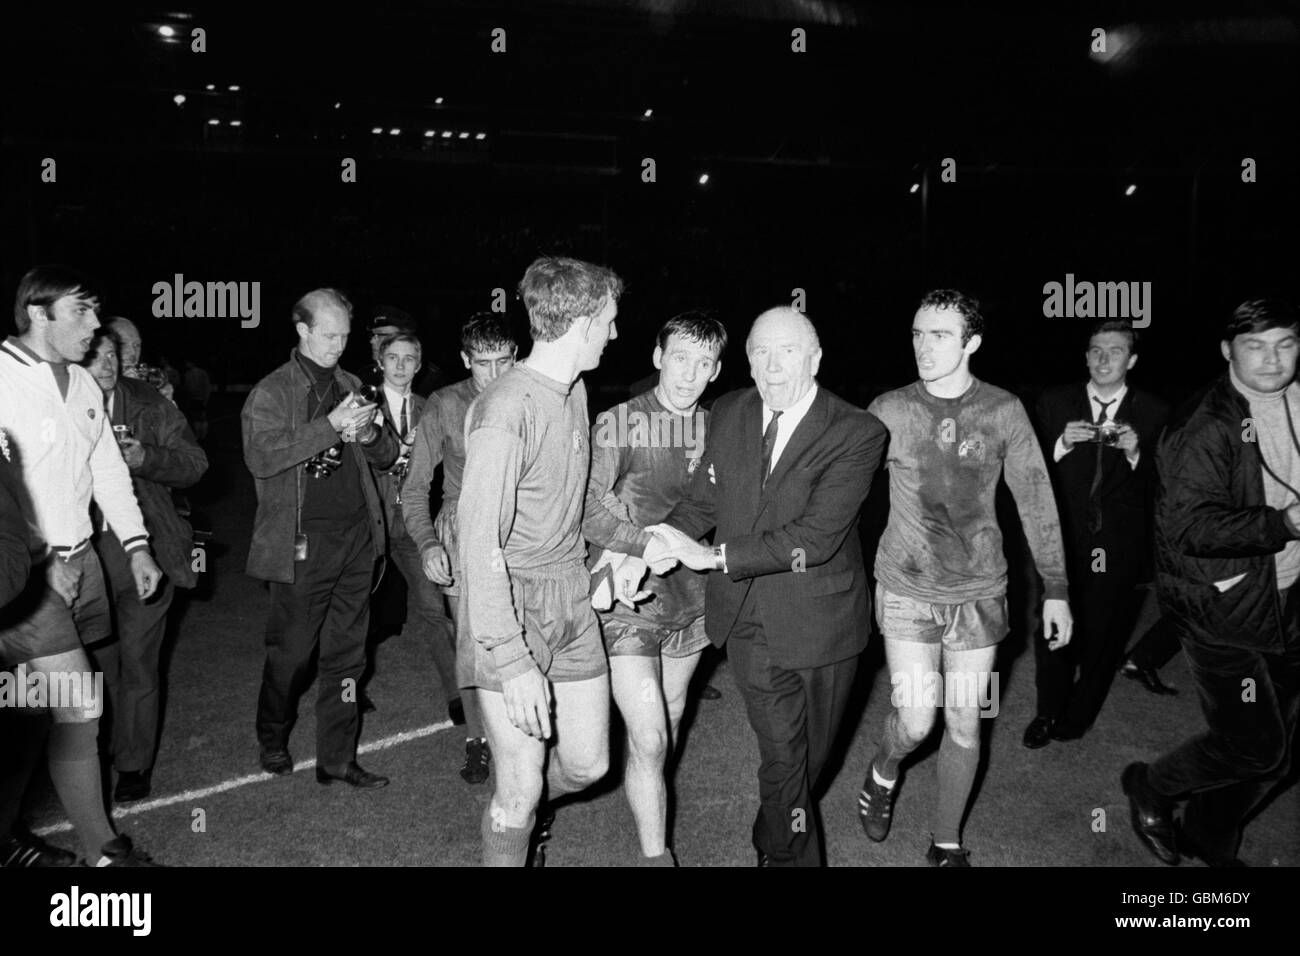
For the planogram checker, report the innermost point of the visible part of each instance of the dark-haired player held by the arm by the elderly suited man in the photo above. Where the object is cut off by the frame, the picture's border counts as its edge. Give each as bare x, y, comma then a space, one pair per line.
644, 455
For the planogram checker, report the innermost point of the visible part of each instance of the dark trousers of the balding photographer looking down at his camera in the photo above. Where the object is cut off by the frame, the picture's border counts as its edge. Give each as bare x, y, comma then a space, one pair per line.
327, 608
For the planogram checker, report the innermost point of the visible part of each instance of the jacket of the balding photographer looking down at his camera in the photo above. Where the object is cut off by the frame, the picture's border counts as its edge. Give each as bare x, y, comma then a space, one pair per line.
278, 440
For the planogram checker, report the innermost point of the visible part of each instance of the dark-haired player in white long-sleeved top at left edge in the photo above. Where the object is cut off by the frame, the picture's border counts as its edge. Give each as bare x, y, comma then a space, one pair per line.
53, 414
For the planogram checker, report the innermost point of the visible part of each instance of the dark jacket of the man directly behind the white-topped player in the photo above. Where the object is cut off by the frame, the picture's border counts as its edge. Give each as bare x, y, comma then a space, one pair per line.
172, 460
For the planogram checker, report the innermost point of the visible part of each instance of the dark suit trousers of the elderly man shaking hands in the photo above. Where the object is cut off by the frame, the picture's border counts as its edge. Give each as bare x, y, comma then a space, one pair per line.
796, 716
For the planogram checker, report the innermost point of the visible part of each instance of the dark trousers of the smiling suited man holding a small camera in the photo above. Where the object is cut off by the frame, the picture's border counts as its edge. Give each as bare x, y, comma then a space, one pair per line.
1104, 604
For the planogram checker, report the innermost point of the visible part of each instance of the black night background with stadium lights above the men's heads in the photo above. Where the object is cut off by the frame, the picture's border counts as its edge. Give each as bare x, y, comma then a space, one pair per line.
811, 159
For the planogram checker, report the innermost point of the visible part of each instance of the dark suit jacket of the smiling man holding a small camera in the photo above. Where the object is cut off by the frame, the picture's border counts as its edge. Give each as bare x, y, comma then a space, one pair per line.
1126, 494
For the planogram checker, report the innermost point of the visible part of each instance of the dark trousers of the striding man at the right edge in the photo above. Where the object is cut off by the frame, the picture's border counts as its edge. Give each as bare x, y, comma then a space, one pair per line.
1247, 747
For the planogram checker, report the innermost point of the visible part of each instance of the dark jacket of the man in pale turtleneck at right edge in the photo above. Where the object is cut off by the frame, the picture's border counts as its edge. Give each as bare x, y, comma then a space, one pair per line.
1212, 525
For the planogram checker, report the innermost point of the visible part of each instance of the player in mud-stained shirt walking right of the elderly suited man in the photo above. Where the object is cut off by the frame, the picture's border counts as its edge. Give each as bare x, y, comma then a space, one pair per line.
941, 570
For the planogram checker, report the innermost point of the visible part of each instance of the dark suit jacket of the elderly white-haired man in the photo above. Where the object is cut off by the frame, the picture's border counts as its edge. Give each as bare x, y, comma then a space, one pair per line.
794, 546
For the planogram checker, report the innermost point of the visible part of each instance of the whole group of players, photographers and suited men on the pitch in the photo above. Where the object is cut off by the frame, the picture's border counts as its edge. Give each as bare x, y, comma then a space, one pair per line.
569, 564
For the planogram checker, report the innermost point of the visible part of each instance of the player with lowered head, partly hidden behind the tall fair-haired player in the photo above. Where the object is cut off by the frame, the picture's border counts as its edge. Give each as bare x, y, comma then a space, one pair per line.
488, 349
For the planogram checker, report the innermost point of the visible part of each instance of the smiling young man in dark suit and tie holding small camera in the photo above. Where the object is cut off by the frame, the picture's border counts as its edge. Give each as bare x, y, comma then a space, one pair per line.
1099, 439
